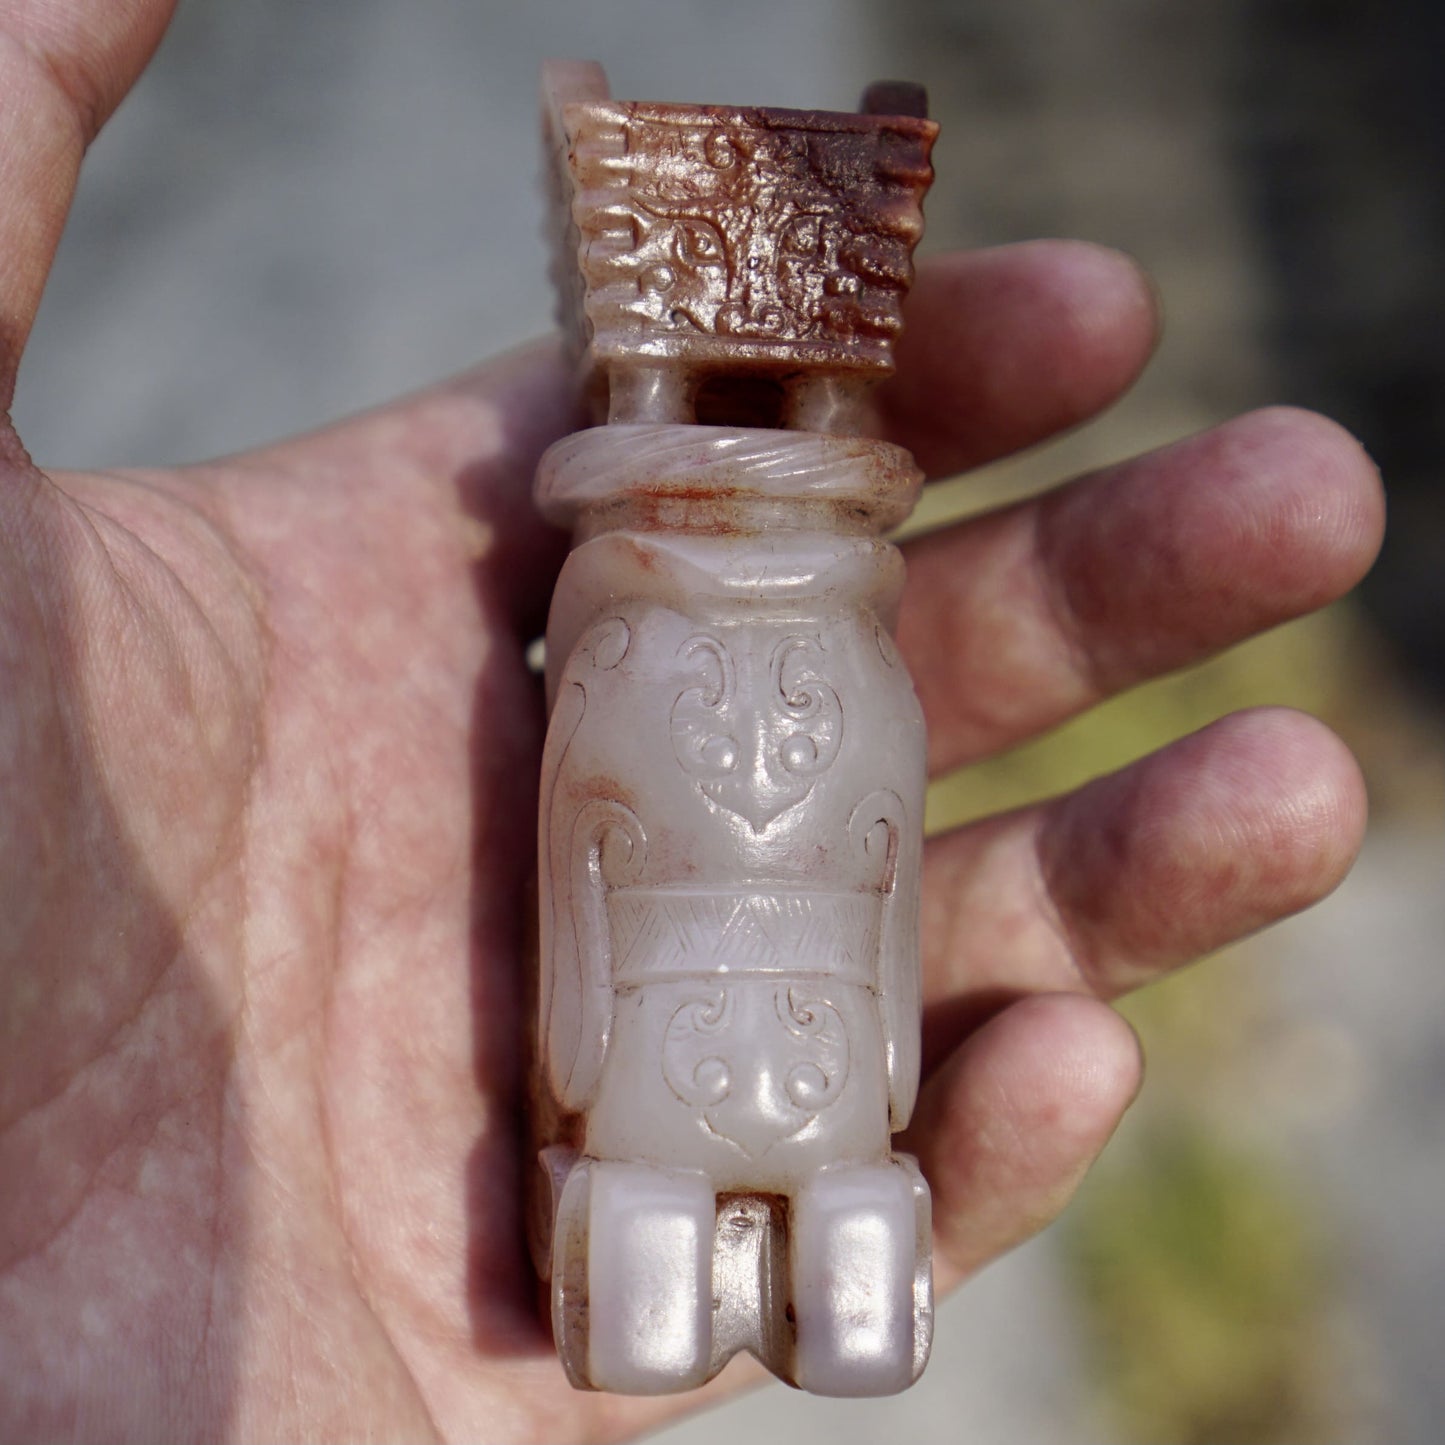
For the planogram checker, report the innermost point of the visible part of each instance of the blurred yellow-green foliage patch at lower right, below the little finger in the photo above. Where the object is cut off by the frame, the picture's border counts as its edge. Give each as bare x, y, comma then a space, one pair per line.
1202, 1287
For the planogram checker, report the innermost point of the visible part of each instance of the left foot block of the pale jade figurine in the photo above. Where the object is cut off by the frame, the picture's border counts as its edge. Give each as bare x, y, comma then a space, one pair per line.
632, 1278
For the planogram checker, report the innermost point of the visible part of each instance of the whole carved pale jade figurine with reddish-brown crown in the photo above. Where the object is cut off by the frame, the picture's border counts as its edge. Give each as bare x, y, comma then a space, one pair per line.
733, 782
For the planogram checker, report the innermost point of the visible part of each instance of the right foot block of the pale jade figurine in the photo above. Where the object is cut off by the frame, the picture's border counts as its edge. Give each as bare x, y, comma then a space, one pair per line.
862, 1280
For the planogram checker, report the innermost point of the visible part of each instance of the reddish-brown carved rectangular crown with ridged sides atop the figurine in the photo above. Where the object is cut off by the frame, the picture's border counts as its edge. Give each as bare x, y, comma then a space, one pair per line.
733, 236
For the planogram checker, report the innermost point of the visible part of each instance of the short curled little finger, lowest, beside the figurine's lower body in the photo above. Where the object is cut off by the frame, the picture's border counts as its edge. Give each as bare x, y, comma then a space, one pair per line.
1008, 1128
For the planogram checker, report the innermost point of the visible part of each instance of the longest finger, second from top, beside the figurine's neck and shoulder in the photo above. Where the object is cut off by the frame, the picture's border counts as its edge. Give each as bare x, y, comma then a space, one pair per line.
1024, 618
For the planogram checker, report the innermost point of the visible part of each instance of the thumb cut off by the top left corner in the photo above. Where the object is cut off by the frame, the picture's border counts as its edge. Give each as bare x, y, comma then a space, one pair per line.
64, 67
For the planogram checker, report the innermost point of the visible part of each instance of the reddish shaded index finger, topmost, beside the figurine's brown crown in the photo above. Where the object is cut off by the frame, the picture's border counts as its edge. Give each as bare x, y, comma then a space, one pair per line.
1006, 348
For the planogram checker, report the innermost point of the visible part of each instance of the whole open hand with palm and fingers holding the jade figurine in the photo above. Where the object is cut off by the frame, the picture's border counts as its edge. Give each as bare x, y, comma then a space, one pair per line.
268, 755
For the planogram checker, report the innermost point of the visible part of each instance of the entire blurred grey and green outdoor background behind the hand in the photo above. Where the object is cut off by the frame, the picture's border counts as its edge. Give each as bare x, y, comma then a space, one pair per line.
306, 209
